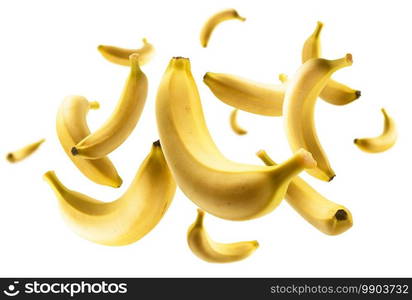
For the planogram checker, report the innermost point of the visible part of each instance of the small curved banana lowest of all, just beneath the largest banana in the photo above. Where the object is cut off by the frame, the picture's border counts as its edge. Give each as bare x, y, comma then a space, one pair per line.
205, 248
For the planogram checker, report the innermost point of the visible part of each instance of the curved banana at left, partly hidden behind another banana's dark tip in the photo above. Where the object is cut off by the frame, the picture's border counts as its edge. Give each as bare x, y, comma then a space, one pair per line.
71, 127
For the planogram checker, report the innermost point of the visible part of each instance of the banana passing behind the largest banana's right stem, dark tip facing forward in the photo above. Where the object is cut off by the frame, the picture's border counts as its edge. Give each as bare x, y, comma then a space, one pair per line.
325, 215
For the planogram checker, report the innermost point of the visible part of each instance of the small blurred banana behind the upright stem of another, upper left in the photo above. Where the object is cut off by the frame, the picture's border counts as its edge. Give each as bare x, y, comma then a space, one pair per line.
120, 56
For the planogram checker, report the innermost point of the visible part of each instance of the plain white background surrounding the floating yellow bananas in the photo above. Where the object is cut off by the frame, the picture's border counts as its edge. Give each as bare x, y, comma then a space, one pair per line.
48, 51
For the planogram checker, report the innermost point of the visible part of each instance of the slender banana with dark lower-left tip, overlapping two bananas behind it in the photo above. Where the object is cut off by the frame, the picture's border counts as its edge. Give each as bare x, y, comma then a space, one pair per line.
123, 119
